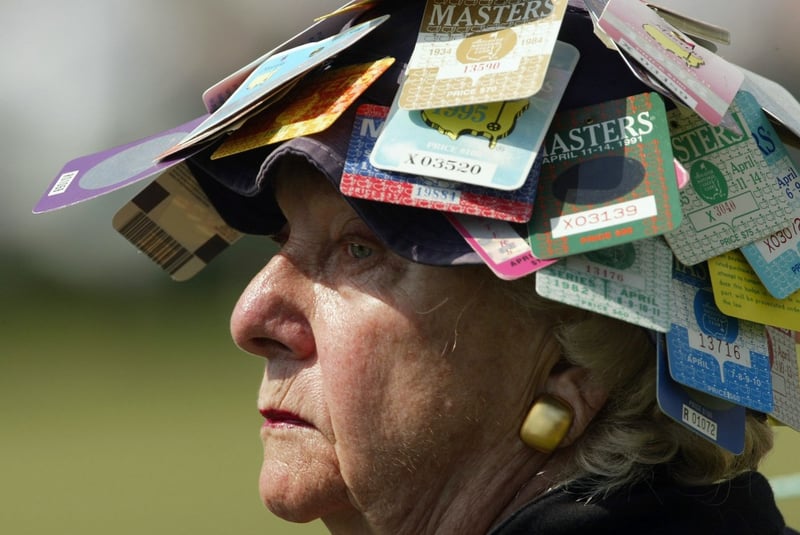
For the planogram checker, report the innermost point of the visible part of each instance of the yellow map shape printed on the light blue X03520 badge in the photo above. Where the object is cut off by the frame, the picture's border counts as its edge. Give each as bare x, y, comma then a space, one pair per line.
493, 120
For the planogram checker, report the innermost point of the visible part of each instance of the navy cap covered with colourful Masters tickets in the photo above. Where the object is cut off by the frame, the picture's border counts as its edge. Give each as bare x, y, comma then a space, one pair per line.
604, 145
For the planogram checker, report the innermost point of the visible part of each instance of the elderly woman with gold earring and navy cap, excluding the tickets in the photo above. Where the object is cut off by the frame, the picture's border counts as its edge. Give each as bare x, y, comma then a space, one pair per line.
408, 390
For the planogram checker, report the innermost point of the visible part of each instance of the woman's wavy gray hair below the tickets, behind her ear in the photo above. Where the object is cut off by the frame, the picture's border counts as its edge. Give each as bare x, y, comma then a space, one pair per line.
630, 435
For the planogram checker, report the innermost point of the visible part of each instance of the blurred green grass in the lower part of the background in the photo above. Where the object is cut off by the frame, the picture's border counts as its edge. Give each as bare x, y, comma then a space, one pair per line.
132, 412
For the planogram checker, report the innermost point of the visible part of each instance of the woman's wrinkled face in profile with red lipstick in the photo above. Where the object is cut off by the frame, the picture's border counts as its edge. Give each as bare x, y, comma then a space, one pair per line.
378, 370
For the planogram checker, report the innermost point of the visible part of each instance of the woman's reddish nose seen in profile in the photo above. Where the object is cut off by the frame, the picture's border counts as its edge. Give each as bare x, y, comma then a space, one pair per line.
271, 318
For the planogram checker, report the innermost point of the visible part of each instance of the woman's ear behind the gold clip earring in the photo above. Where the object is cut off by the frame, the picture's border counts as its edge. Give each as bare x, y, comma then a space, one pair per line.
574, 386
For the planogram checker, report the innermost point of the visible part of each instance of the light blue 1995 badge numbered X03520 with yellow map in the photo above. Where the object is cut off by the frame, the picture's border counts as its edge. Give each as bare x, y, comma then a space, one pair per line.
492, 144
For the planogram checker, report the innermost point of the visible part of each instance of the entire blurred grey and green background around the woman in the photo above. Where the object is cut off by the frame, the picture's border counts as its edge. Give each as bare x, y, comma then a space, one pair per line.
125, 406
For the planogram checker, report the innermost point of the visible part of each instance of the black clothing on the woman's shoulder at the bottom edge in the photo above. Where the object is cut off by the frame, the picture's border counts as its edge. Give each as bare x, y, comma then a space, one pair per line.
744, 505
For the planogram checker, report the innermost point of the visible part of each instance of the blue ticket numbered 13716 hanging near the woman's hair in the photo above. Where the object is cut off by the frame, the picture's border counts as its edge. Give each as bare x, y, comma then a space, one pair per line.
712, 352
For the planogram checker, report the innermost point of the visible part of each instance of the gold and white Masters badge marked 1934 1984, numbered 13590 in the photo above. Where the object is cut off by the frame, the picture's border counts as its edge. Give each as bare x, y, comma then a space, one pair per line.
475, 52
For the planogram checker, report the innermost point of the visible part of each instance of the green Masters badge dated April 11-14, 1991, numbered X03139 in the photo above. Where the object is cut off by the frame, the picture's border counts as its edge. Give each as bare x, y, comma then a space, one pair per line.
607, 178
